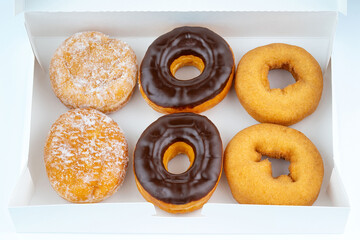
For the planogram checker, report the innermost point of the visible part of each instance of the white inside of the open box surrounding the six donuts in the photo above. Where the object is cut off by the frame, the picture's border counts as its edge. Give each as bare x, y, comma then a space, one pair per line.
244, 31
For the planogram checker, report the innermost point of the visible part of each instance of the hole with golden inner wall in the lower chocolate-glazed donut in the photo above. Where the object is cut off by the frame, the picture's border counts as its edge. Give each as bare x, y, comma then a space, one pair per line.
178, 158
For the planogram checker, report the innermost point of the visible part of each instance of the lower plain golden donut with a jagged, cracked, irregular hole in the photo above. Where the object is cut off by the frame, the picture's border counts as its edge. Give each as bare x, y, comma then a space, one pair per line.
250, 178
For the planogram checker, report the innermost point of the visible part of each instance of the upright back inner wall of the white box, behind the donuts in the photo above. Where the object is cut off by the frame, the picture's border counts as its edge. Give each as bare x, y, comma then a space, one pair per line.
274, 26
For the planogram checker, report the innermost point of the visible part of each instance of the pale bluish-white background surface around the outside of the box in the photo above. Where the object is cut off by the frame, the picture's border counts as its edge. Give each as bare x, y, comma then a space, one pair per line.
15, 59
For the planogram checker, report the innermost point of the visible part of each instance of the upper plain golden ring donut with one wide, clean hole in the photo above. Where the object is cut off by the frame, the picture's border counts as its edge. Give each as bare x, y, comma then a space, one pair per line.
280, 106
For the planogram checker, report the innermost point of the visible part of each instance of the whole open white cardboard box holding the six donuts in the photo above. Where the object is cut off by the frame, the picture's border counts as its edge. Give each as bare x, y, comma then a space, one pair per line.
35, 207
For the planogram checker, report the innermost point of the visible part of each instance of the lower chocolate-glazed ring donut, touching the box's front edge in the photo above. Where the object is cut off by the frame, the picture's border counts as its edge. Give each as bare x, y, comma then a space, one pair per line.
188, 133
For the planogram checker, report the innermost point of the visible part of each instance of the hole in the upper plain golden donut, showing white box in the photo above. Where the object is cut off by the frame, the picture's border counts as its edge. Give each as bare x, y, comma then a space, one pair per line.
280, 78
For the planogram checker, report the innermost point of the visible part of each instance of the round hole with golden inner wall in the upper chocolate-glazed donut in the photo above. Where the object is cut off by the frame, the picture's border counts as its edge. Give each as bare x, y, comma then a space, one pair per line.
187, 67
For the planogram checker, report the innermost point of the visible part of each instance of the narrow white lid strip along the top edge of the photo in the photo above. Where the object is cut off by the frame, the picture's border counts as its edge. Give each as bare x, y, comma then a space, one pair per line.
186, 5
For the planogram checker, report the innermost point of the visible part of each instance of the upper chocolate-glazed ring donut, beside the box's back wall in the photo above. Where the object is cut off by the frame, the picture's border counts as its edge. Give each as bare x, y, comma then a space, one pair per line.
195, 46
